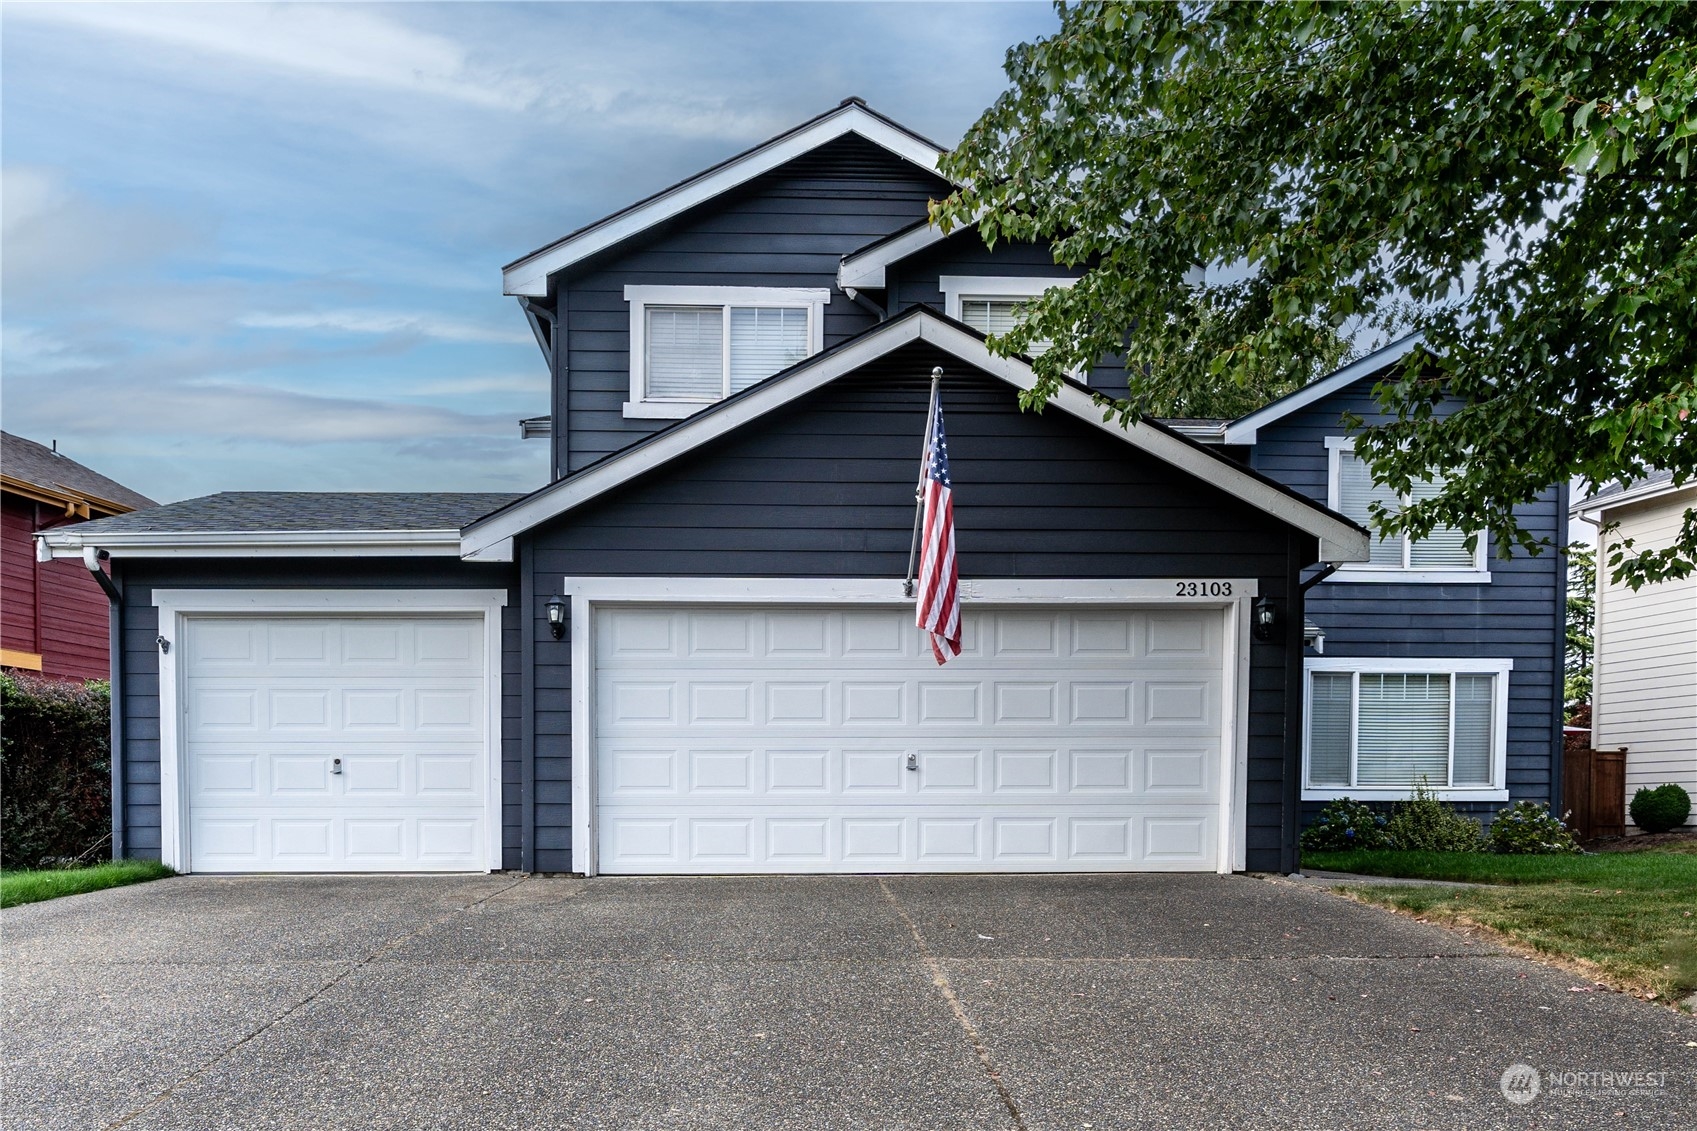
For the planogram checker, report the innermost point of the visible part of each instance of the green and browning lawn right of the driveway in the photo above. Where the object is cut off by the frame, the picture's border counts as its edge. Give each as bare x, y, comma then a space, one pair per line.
1632, 916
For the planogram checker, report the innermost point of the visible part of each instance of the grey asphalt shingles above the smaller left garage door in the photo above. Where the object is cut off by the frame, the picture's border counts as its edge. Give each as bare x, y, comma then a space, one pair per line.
305, 512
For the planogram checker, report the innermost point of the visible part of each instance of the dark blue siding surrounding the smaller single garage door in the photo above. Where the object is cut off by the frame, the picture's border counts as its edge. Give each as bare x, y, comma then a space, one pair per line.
142, 658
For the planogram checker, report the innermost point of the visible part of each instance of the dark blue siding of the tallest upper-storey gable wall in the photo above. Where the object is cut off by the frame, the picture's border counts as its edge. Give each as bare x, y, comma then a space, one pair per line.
788, 228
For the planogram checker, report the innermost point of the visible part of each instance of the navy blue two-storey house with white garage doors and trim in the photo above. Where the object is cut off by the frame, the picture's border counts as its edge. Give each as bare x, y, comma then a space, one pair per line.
692, 653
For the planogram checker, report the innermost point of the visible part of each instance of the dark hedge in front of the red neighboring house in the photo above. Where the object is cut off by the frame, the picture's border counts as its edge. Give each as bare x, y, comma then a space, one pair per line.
55, 772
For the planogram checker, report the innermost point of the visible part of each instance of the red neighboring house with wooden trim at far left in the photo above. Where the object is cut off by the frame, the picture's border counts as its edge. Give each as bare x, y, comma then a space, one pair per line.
53, 617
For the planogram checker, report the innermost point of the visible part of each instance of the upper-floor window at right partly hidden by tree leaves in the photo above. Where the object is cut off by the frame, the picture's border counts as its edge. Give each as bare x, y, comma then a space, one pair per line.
1442, 554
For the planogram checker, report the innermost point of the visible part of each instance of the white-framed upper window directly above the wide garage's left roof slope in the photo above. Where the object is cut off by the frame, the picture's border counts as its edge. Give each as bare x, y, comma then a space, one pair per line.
697, 346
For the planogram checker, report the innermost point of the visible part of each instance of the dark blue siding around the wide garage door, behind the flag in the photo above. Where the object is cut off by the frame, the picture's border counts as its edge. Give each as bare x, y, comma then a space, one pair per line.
826, 490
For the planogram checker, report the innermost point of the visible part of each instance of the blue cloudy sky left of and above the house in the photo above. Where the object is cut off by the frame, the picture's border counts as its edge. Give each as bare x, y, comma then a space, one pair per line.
259, 247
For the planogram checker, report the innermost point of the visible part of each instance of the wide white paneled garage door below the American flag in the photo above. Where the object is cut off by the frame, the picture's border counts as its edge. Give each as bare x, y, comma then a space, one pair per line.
809, 740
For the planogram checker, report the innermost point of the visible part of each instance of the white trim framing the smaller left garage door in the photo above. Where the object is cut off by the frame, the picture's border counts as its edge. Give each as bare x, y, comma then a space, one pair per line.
177, 605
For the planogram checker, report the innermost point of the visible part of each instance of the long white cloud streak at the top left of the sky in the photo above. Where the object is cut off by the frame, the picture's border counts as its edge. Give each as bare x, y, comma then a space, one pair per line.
332, 43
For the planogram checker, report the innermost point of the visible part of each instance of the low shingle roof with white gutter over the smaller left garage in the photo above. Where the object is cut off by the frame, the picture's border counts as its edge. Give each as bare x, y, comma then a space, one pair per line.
281, 524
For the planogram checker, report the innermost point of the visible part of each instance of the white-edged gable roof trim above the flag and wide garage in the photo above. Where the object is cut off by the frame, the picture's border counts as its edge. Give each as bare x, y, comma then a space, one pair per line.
1341, 541
